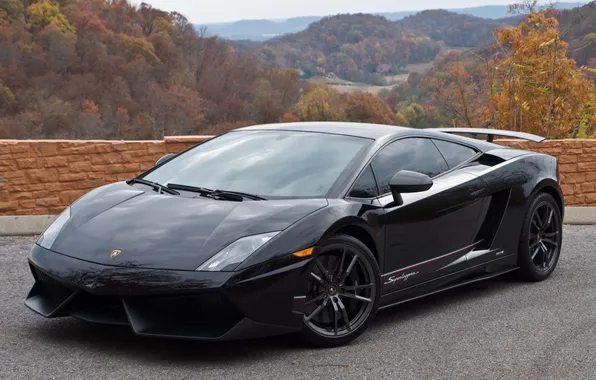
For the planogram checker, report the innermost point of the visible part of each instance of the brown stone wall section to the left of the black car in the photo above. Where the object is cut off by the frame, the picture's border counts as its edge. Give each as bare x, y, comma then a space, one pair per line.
42, 177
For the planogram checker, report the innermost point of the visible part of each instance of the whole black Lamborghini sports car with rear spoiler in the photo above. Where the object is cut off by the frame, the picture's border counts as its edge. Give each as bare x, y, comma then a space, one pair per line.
303, 227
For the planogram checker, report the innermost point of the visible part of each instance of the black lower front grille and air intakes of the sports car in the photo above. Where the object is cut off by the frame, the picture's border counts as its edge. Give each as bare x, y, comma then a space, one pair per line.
203, 315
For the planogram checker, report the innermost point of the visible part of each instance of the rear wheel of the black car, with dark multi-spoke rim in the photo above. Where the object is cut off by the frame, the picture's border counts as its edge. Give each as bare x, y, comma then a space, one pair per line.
541, 238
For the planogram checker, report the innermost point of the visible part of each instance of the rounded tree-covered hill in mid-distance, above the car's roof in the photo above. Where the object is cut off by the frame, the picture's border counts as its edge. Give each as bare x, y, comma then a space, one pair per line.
355, 47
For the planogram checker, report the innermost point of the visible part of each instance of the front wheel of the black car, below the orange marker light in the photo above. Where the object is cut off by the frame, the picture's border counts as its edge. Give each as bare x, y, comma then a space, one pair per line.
344, 284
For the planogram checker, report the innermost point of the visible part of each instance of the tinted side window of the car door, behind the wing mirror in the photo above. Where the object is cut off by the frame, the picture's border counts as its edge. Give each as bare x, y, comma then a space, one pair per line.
418, 155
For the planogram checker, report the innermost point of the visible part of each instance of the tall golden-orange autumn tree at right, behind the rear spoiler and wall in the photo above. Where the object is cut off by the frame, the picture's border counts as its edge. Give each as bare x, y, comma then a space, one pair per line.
540, 89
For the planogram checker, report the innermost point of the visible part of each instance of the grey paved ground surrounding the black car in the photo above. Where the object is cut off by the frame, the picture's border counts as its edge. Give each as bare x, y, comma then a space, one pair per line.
499, 329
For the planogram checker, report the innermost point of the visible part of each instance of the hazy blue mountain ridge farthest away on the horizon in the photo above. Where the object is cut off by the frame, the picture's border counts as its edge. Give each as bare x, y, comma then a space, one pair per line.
261, 30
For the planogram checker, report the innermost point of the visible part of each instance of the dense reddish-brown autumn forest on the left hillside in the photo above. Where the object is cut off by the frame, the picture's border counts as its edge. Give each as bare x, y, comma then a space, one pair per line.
110, 69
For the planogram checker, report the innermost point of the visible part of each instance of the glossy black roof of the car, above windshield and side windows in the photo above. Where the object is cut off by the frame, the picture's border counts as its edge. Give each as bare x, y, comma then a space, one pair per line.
378, 132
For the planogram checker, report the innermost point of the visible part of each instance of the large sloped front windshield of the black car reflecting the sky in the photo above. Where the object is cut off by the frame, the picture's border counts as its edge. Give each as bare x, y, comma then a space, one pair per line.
266, 163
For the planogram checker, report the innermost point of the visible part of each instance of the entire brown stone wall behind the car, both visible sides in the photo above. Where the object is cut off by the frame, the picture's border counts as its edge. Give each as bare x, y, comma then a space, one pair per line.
41, 177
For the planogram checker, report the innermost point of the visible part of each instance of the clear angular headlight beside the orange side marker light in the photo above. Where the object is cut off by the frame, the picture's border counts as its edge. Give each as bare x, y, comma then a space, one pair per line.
231, 256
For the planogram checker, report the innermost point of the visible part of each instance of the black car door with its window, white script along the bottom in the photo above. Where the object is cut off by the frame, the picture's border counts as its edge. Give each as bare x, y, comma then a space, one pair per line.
431, 232
